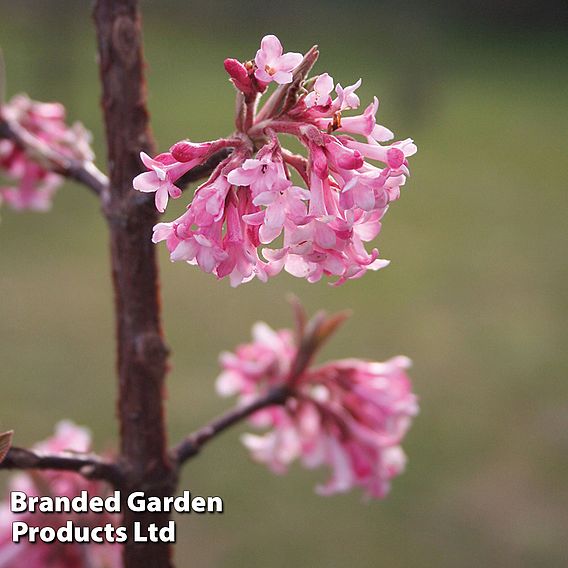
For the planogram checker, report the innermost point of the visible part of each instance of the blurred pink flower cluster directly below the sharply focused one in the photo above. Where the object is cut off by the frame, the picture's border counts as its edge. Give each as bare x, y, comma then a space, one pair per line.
350, 415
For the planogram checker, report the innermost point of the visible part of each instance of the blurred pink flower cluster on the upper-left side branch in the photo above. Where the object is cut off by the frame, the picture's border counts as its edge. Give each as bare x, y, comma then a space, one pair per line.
31, 185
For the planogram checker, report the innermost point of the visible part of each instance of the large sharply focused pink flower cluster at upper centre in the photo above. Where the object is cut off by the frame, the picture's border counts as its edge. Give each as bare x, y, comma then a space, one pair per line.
316, 212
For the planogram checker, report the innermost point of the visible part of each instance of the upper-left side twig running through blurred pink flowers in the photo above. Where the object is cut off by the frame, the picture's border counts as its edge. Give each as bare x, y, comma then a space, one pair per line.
84, 172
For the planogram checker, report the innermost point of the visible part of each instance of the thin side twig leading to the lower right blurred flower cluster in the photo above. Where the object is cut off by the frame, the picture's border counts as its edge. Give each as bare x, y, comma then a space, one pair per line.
191, 446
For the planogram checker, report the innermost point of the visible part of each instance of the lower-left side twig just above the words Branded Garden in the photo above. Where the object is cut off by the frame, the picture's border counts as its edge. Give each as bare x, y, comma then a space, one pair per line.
89, 465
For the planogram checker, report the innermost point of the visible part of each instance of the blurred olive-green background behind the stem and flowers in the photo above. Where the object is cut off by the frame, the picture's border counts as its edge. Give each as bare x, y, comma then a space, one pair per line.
476, 292
